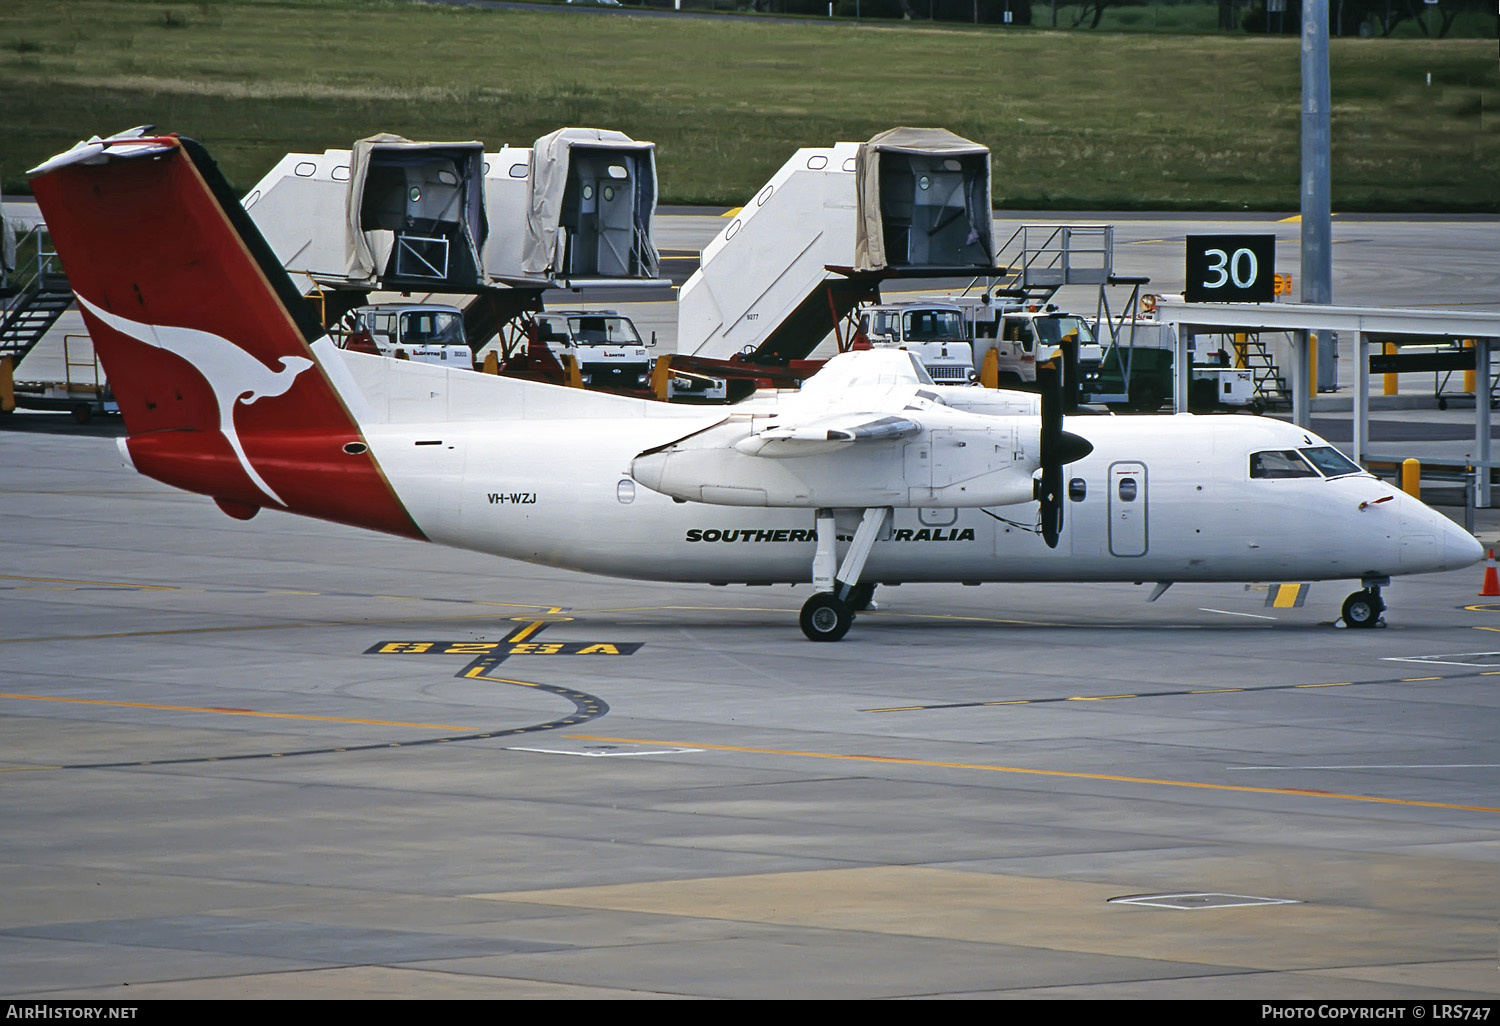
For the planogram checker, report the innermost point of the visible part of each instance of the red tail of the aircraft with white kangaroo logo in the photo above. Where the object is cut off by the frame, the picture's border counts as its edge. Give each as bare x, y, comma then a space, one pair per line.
203, 337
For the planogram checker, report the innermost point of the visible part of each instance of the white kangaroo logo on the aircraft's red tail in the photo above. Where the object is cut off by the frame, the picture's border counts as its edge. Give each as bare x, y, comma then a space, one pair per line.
232, 373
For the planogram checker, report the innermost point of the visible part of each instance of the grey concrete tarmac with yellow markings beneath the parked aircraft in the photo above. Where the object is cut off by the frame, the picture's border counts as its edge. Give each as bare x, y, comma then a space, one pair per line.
230, 770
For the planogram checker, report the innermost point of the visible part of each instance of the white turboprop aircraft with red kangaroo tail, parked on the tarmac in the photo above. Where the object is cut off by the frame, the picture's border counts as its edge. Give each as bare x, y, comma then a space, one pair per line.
871, 475
